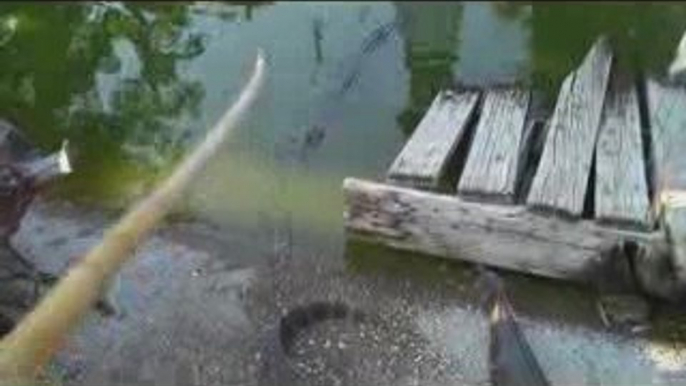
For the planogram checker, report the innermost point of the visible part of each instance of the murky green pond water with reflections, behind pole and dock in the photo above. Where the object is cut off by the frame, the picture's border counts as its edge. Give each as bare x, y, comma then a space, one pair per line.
132, 86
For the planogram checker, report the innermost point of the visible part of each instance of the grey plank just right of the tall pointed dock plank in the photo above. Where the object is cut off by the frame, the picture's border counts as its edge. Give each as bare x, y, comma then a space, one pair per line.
621, 189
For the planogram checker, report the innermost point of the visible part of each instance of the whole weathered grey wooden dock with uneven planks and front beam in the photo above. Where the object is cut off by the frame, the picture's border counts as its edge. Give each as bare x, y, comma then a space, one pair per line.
586, 204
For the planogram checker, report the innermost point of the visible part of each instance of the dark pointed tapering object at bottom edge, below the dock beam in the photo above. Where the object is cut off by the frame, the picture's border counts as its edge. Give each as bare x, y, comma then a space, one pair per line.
511, 361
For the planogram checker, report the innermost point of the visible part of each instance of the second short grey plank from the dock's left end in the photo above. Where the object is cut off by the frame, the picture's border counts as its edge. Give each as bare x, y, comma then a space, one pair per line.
491, 168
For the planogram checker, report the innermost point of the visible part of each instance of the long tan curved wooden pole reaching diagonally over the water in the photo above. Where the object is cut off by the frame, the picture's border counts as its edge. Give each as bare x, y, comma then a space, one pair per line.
25, 350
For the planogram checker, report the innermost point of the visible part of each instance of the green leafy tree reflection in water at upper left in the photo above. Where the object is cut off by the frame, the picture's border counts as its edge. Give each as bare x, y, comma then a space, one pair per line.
105, 76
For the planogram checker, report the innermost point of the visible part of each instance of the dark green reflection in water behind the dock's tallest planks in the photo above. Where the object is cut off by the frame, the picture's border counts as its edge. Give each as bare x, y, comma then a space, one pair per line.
644, 36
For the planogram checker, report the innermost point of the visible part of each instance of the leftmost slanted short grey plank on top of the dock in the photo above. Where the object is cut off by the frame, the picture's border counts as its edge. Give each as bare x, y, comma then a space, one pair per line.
422, 161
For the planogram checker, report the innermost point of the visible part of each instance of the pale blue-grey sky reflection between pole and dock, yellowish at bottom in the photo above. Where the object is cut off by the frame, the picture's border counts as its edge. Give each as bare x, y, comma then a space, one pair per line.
317, 122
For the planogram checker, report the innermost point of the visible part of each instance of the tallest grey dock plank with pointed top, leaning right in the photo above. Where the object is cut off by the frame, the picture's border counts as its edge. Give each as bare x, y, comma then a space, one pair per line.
563, 172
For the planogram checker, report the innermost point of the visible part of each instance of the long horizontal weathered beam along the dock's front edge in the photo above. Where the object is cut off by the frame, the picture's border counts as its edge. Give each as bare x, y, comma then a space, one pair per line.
504, 236
